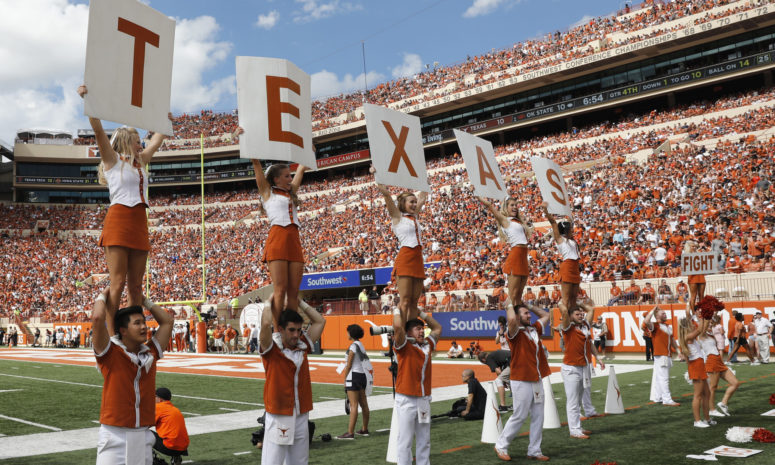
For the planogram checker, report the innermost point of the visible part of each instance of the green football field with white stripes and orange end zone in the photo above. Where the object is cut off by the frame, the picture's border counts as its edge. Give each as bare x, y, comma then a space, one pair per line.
54, 402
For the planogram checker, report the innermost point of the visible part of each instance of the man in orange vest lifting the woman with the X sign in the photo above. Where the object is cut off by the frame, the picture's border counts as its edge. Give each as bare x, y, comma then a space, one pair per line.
413, 385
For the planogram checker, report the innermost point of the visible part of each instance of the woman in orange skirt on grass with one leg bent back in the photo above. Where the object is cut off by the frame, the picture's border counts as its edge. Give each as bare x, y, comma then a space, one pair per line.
713, 345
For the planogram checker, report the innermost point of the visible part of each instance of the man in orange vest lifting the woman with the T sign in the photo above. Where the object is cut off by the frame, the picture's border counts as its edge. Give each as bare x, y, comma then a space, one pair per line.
127, 362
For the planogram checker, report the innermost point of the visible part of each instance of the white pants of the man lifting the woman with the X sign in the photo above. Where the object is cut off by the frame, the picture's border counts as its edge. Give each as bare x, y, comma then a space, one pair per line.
410, 428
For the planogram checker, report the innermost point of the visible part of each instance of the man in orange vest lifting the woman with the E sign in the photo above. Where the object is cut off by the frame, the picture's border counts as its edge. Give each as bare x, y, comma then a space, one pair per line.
288, 388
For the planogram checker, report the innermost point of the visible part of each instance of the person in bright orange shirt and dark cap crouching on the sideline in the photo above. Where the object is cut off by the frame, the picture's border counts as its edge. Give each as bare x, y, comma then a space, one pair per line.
171, 434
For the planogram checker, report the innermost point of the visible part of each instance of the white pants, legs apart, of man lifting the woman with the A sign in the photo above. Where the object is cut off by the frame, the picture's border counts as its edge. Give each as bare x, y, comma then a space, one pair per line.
524, 404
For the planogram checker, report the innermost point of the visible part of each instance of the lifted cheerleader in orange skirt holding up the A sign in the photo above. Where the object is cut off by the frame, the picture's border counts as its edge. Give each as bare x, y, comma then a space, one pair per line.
514, 228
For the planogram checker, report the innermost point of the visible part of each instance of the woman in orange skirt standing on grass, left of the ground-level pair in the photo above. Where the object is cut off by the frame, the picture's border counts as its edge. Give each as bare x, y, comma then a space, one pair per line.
691, 350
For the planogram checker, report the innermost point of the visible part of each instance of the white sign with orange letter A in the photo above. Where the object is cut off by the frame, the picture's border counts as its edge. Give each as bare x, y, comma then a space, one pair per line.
481, 165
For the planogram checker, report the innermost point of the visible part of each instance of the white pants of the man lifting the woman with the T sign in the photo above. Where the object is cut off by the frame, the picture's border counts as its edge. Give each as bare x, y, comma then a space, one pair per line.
112, 446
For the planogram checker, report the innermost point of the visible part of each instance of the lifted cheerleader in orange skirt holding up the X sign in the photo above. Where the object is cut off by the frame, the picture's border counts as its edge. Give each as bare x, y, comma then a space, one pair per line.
408, 266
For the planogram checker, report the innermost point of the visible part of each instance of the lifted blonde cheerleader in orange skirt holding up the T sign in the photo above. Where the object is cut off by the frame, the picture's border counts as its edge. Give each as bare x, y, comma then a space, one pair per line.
124, 234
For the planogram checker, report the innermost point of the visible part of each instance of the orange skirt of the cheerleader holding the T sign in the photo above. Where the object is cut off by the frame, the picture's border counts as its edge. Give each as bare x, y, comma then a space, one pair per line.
126, 227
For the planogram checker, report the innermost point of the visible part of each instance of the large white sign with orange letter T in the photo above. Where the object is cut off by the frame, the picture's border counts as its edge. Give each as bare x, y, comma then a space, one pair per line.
128, 73
